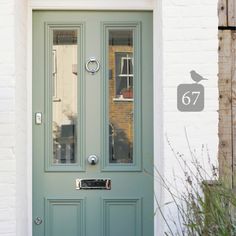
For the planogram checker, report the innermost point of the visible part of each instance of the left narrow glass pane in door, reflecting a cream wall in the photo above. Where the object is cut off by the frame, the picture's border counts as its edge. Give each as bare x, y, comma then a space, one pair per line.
64, 102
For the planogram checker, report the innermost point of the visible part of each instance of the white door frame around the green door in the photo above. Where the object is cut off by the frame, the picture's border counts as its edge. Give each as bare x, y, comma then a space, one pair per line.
156, 7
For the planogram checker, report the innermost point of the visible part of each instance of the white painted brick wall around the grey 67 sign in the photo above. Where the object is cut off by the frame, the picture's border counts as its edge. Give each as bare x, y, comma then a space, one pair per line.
190, 43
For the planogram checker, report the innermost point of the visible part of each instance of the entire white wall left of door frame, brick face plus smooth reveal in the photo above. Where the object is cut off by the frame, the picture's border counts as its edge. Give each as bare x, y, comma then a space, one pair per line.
13, 201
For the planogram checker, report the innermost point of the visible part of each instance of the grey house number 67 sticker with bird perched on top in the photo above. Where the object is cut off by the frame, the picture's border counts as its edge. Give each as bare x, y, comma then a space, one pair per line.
190, 97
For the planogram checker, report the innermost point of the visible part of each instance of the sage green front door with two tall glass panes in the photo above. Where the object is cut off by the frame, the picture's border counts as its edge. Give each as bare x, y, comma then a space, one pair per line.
92, 123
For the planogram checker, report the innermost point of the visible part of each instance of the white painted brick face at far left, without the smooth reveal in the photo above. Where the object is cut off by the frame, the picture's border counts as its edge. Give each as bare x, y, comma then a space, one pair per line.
7, 120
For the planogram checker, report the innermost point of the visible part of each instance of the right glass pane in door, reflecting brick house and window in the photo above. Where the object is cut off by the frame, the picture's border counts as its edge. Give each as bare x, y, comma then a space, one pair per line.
121, 99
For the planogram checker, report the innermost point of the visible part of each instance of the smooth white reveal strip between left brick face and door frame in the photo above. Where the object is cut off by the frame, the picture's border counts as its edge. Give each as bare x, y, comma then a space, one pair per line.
21, 122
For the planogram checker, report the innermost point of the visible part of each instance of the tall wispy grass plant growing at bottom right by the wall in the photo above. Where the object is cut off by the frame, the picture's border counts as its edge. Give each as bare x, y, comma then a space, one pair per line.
205, 206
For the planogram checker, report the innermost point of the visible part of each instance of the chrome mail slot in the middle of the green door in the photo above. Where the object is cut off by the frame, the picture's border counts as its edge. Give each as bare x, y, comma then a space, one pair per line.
90, 184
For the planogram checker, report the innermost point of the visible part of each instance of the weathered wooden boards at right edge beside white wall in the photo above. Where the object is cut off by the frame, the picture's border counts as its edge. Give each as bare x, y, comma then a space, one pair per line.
227, 94
